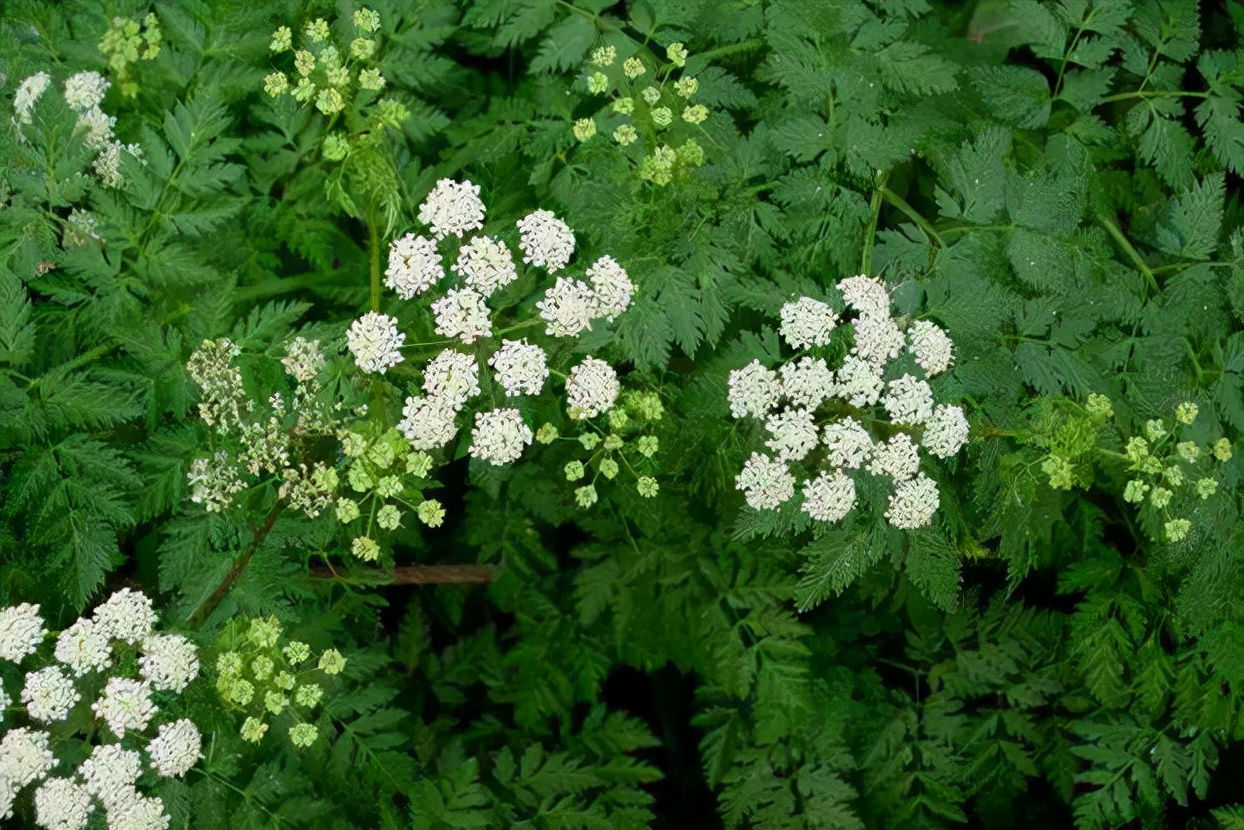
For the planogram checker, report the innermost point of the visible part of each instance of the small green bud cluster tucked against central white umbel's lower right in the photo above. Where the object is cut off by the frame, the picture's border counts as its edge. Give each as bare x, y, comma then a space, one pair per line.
628, 440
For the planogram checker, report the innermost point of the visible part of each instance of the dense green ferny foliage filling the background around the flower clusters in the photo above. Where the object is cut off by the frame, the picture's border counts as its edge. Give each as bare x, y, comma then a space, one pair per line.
1057, 185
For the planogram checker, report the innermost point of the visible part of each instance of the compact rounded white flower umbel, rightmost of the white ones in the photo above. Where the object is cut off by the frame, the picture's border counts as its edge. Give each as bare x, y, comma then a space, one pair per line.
840, 447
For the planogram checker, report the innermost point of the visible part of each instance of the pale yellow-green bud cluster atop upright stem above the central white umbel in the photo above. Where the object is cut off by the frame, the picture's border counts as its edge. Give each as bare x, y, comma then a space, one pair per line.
334, 79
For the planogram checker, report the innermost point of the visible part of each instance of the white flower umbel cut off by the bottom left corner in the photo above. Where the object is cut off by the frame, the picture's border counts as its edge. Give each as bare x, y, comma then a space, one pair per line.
109, 776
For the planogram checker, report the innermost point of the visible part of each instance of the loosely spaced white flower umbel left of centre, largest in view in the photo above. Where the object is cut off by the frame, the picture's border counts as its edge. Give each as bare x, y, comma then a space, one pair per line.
482, 267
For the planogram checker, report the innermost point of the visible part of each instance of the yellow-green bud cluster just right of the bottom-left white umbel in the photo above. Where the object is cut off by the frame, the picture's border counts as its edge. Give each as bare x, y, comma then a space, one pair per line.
268, 678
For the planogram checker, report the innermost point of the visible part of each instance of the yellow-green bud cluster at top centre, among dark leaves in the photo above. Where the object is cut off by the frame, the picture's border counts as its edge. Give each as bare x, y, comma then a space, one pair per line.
649, 104
